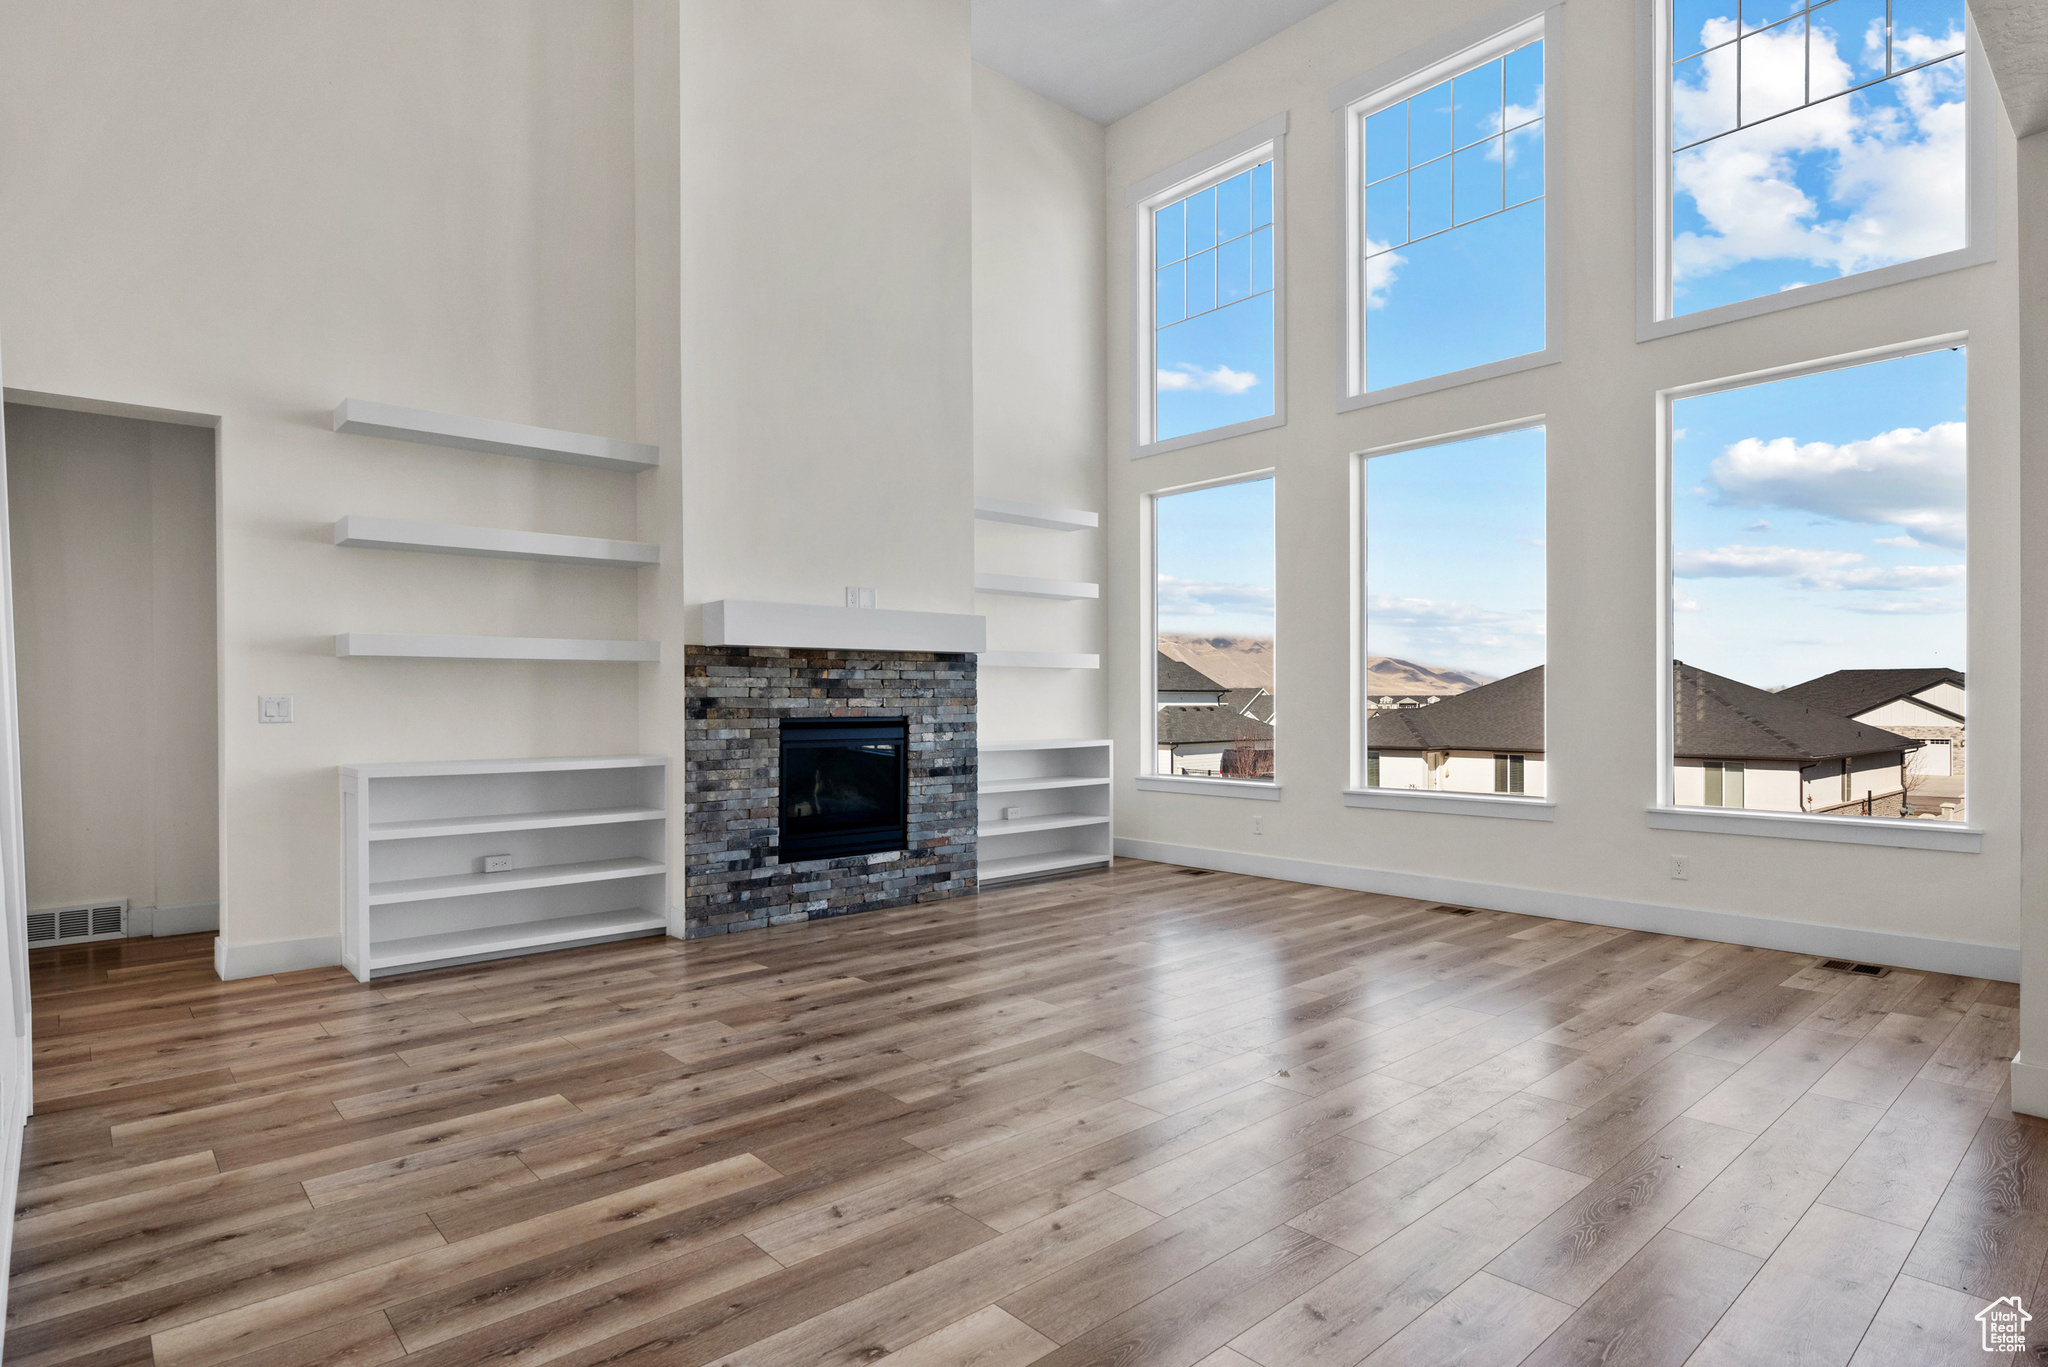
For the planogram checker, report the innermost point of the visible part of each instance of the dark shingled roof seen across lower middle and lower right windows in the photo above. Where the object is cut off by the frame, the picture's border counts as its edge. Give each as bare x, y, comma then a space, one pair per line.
1717, 720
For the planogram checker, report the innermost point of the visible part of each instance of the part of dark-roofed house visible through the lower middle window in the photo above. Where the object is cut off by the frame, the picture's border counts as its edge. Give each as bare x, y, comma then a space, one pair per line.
1486, 741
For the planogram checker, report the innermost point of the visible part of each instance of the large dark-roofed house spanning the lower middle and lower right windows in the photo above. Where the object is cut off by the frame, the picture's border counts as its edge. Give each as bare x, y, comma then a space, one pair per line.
1736, 747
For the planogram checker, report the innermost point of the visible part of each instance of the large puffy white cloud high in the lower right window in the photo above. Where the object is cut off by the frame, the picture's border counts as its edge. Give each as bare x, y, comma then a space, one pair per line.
1904, 479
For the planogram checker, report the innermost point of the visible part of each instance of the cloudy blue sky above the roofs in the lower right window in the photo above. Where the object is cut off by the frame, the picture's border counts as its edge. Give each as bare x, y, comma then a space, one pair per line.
1818, 524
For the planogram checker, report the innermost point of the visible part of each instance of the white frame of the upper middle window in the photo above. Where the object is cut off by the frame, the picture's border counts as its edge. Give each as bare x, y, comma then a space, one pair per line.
1392, 83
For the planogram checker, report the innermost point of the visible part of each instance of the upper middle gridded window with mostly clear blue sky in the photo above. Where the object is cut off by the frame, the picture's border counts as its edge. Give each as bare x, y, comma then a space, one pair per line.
1447, 265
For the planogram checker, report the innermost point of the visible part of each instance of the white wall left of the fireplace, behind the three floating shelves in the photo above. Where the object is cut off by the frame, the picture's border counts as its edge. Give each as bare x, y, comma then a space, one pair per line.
255, 210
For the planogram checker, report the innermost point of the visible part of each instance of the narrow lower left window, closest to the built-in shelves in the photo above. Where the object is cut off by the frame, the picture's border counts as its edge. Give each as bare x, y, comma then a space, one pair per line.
1213, 671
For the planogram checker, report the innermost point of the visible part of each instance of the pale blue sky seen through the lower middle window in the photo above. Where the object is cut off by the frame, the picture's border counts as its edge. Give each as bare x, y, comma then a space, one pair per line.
1455, 554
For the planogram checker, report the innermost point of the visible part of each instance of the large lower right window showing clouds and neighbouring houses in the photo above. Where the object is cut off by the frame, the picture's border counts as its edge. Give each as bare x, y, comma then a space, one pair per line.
1818, 589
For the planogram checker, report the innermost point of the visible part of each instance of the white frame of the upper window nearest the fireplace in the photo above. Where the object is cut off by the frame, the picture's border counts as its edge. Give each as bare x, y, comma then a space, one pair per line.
1179, 181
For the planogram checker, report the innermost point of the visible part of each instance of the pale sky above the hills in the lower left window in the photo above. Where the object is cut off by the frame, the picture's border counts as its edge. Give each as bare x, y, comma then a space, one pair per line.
1215, 554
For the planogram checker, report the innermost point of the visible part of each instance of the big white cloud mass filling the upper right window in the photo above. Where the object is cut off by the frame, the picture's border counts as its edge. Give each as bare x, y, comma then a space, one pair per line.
1891, 175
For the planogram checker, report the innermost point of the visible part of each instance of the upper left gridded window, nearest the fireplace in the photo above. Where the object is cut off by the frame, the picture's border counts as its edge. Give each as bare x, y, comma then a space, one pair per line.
1209, 306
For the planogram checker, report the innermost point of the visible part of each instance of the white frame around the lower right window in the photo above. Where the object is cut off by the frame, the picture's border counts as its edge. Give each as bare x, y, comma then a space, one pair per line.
1664, 813
